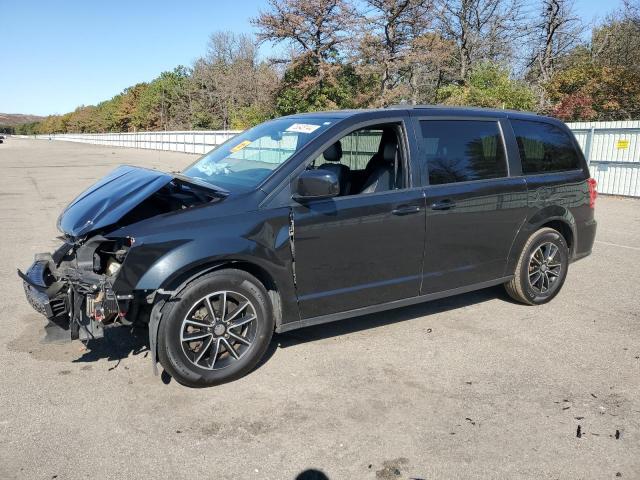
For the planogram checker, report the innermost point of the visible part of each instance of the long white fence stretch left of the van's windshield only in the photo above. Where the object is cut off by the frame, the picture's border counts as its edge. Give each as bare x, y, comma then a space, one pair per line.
187, 142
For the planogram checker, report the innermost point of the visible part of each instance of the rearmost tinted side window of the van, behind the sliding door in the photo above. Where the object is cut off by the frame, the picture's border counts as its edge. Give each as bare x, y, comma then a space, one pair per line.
544, 148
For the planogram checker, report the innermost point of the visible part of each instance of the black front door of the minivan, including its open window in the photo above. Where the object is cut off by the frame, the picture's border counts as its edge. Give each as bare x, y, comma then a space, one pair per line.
365, 246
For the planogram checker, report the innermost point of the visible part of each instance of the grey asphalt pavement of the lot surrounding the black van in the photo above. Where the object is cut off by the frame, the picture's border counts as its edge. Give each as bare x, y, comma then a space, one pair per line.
473, 386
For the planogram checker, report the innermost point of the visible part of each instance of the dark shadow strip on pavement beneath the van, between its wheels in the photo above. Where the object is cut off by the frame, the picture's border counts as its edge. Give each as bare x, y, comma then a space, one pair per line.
373, 320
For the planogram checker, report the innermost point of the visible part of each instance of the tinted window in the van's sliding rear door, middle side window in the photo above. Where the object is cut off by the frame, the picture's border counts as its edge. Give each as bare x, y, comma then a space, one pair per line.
462, 150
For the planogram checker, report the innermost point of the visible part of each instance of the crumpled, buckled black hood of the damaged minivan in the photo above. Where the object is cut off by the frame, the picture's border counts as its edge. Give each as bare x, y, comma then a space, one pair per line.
107, 201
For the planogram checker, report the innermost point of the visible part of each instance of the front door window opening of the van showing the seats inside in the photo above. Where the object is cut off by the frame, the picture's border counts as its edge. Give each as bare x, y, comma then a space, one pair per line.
367, 160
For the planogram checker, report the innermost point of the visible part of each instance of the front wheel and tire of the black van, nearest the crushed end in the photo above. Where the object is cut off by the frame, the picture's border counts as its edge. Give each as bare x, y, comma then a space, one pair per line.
185, 329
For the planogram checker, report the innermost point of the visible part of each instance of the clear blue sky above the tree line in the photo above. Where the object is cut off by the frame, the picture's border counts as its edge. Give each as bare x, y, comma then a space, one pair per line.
57, 55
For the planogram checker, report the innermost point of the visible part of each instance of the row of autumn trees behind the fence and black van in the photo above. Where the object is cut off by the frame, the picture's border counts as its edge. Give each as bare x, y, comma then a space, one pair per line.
362, 53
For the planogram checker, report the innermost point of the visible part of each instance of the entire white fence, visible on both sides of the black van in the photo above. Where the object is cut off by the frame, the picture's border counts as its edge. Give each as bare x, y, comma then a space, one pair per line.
611, 148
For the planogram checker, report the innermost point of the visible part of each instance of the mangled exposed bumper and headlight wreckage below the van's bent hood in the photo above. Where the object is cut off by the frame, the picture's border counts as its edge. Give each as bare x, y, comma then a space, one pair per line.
73, 286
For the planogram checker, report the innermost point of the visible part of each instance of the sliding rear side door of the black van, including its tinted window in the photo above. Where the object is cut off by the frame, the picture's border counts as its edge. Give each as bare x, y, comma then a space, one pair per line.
474, 206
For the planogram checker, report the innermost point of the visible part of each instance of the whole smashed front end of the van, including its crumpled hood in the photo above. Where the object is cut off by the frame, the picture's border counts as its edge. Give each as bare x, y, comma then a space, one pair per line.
81, 286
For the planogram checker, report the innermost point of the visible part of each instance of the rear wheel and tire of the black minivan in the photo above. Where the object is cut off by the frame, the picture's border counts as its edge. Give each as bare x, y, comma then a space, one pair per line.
526, 286
